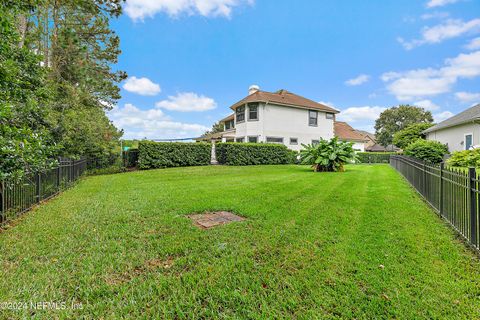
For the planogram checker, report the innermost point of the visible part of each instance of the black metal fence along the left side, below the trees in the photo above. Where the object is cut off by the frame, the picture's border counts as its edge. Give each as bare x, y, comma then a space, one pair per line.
18, 196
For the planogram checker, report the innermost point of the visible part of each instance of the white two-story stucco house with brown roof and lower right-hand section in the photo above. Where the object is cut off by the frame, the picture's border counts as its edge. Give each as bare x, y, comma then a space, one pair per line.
286, 118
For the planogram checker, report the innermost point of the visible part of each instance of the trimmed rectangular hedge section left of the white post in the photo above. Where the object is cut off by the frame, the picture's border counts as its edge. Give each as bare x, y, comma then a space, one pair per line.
172, 154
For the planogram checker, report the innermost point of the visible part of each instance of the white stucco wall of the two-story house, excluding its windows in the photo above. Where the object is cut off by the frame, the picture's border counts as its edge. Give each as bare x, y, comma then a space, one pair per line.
285, 122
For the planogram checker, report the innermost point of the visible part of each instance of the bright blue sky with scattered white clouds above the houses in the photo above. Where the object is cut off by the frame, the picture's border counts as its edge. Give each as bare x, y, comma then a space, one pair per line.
189, 60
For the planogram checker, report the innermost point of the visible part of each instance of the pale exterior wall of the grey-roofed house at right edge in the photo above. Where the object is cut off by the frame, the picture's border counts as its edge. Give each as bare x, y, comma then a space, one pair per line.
454, 137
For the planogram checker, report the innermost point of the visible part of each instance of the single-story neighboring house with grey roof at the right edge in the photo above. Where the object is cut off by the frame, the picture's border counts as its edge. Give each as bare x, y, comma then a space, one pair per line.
460, 132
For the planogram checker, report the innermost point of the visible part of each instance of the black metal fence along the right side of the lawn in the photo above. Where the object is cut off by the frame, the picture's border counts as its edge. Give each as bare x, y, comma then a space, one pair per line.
453, 193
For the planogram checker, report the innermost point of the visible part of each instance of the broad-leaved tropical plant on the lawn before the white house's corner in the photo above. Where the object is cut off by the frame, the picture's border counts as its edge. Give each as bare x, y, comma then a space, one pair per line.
328, 155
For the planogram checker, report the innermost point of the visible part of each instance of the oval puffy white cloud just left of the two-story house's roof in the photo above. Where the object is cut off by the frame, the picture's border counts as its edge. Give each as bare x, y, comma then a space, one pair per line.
186, 102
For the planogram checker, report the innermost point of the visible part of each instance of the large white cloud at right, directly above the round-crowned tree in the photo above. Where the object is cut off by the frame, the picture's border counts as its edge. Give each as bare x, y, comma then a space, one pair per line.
428, 82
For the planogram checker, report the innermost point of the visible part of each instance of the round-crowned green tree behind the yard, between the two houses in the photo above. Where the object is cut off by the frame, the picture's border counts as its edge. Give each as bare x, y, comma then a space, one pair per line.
397, 118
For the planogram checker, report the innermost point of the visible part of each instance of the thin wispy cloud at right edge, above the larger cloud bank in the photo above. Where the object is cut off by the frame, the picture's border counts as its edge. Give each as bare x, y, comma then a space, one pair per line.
436, 34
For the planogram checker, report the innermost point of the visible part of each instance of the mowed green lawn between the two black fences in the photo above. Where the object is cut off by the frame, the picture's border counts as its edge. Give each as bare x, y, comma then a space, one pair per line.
359, 244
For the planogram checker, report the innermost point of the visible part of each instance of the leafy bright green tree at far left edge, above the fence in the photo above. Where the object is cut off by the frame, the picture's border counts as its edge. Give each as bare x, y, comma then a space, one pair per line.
25, 140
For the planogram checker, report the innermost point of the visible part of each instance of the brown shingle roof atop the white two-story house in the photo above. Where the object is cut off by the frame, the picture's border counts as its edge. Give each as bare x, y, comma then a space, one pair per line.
284, 97
